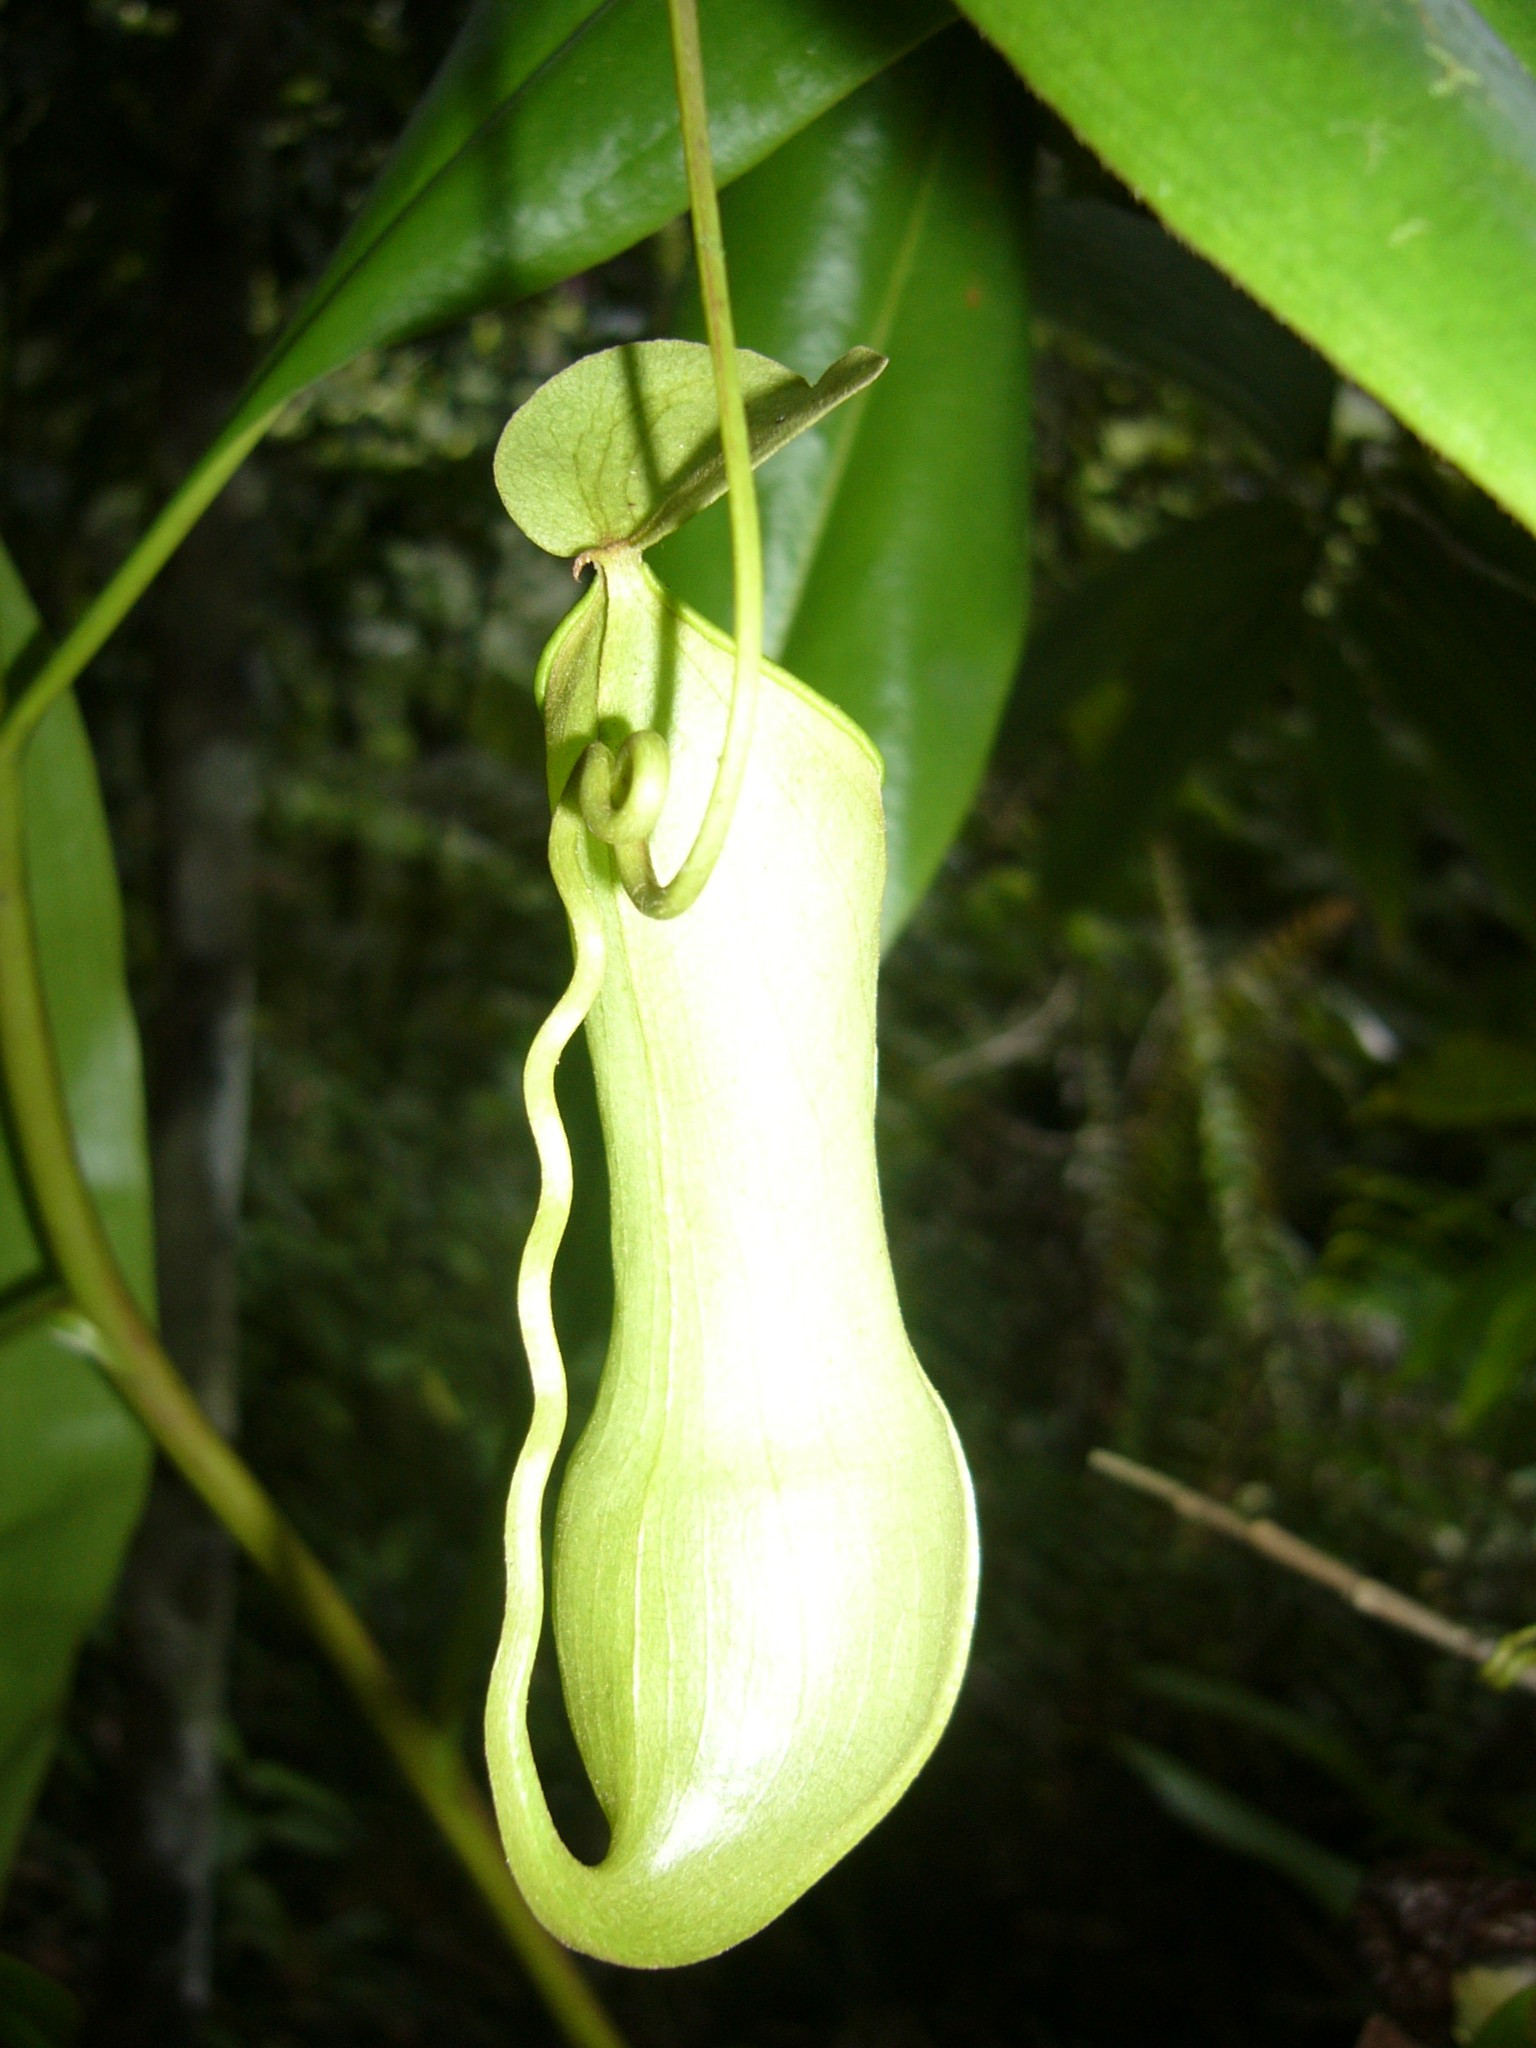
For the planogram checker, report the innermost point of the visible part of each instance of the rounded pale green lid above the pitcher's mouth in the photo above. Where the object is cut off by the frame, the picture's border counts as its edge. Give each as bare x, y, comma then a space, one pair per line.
648, 413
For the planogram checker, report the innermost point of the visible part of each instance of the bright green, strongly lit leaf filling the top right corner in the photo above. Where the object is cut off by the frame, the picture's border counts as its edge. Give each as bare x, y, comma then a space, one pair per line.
1369, 173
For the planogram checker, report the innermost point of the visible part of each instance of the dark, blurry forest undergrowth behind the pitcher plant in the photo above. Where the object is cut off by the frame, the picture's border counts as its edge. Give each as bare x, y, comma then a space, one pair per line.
1215, 1150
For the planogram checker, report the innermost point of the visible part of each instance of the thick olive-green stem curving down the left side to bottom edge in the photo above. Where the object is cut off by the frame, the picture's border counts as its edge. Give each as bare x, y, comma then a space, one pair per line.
118, 1334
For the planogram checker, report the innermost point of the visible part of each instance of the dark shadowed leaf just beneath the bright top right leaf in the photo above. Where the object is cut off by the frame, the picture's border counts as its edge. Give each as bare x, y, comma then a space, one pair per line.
1125, 282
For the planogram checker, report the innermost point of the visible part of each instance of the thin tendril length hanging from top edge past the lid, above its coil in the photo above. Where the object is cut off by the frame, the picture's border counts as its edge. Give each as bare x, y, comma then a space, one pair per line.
736, 447
